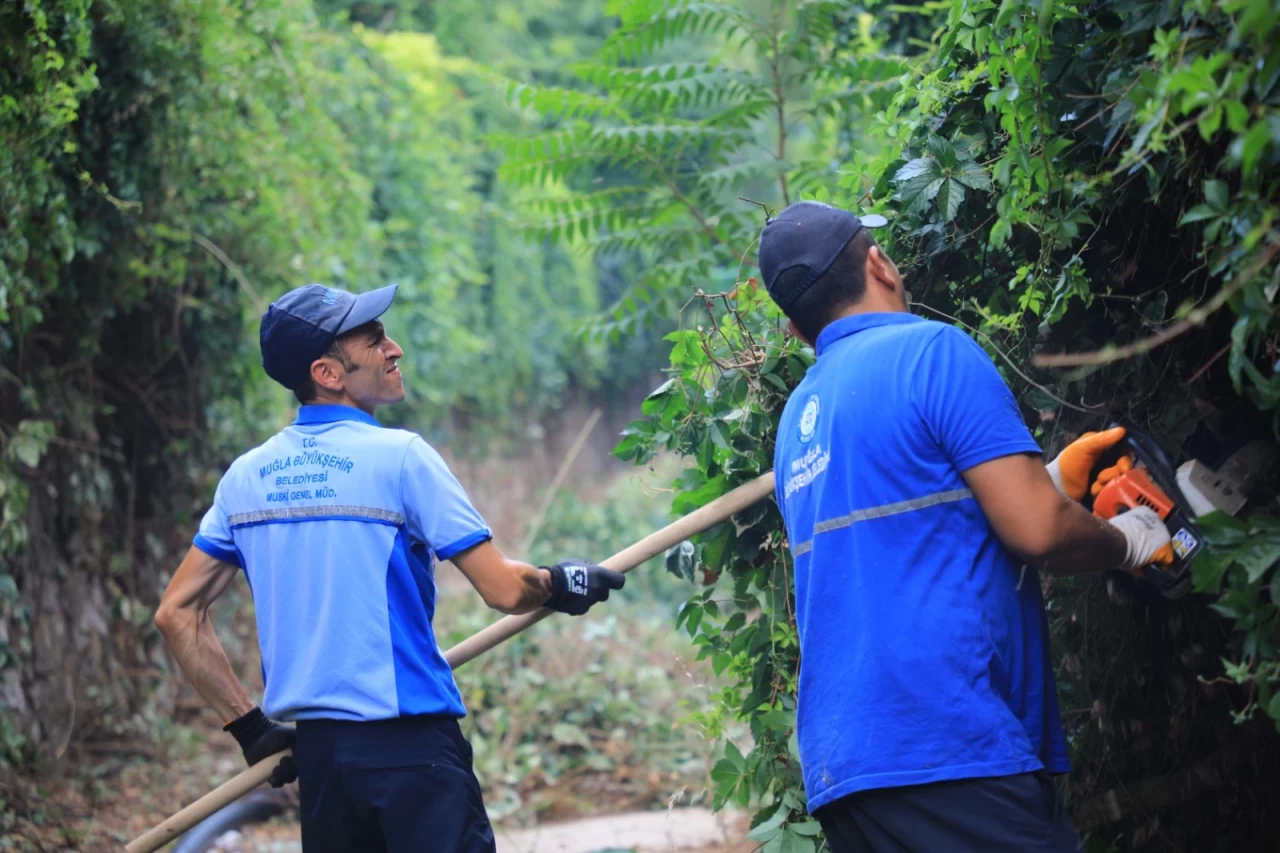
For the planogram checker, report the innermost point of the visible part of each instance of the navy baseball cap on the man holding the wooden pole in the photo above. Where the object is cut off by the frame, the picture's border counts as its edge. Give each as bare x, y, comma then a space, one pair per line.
303, 325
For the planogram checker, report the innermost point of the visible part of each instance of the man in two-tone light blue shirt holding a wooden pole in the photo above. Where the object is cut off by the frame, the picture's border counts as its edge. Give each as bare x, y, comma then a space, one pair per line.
337, 523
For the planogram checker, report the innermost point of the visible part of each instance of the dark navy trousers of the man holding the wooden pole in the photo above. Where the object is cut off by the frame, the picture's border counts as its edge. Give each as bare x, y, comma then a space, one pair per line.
390, 787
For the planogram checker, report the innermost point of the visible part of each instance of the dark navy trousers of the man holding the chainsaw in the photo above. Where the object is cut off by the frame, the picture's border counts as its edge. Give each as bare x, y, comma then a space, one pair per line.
1020, 814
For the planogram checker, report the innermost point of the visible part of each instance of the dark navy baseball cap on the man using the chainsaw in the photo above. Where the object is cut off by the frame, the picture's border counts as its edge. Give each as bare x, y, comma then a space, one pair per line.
808, 235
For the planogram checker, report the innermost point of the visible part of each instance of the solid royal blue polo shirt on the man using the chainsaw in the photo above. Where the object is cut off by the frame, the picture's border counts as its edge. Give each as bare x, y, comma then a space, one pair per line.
924, 641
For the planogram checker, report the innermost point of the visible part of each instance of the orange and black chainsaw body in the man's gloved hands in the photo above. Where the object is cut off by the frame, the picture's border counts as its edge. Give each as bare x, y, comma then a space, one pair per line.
1153, 483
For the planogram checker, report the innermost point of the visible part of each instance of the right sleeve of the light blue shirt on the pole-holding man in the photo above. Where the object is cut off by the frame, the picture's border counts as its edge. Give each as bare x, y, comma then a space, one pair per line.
437, 509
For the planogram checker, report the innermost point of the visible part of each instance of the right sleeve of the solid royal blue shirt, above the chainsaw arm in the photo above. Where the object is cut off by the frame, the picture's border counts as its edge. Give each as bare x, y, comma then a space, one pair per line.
967, 405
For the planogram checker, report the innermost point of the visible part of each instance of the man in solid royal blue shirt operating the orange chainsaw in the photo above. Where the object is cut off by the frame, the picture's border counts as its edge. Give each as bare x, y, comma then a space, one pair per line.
920, 512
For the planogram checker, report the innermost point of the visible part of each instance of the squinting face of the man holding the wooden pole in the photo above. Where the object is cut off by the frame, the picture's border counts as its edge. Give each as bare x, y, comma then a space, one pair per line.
368, 376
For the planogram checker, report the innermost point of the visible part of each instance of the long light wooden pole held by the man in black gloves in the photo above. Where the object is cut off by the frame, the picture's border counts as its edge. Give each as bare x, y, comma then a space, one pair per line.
701, 519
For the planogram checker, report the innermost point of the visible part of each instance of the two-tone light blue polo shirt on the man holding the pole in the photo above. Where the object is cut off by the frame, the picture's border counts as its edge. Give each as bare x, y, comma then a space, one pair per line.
337, 523
